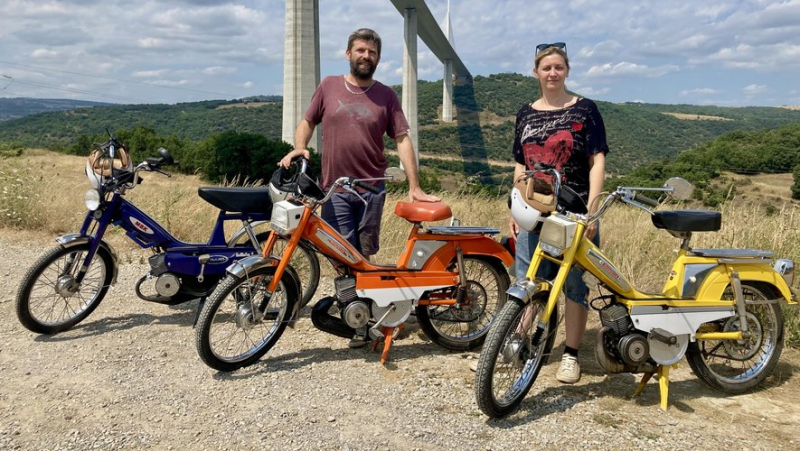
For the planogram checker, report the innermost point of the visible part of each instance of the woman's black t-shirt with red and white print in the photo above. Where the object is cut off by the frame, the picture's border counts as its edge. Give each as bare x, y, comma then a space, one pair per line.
564, 138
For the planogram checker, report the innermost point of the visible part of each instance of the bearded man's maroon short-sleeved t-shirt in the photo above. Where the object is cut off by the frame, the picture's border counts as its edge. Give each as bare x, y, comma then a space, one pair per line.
353, 126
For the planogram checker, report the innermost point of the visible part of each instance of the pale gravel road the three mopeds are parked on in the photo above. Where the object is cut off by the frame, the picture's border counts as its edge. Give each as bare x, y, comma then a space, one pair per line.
128, 377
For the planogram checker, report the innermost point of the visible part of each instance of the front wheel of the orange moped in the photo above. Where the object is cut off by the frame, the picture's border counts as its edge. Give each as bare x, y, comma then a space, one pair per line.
226, 337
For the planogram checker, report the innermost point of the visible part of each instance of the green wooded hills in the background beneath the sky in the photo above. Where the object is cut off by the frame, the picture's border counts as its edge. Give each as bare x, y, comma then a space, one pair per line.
638, 134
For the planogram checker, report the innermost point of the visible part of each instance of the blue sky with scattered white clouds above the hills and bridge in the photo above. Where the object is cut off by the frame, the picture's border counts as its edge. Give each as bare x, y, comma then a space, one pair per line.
713, 52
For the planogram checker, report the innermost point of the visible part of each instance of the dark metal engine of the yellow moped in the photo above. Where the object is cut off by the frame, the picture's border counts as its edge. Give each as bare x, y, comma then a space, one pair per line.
620, 347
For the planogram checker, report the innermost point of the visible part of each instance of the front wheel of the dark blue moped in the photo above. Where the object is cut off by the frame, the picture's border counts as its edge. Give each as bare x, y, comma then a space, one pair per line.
47, 304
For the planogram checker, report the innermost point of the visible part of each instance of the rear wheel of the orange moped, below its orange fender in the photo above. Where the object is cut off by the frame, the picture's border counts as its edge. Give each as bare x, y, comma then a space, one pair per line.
464, 327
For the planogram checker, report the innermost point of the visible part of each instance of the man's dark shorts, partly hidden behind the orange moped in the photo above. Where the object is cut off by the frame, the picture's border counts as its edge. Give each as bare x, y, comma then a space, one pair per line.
359, 224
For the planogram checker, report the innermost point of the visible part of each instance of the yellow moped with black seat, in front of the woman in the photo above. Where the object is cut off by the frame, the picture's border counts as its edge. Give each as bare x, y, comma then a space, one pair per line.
719, 307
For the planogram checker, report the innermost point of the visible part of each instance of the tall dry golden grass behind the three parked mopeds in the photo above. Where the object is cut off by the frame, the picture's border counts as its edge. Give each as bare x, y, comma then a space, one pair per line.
44, 191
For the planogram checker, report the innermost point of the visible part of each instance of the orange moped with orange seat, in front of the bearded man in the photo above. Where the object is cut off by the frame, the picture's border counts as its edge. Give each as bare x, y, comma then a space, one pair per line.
454, 278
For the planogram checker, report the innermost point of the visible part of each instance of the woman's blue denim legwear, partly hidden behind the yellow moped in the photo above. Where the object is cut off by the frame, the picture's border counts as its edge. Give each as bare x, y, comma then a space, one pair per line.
575, 288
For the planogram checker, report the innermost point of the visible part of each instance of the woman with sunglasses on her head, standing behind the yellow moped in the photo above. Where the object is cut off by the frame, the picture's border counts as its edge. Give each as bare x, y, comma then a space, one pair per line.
566, 131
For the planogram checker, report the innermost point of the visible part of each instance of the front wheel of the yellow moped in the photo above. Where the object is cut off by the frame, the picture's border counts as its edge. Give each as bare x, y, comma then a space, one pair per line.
509, 363
